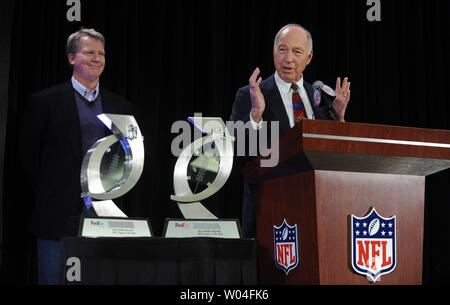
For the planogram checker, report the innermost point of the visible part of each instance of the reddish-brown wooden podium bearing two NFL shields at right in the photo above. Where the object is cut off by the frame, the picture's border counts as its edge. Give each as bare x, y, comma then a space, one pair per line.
328, 171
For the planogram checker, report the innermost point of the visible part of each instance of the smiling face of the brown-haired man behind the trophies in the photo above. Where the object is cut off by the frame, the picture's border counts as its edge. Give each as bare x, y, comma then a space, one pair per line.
89, 61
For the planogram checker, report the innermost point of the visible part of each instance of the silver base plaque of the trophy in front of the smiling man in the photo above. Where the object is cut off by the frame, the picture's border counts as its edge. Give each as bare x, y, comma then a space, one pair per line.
114, 227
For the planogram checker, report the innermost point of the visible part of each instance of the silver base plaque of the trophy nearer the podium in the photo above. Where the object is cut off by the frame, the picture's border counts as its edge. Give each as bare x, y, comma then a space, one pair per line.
214, 228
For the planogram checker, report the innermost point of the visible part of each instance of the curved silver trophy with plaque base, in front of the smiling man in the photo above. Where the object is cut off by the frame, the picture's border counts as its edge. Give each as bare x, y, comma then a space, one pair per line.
110, 168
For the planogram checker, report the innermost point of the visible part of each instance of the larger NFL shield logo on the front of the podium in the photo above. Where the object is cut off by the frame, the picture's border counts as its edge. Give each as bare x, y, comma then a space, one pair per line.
373, 245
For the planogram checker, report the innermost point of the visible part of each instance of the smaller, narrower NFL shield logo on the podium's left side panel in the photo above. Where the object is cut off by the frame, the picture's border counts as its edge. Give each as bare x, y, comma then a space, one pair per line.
286, 246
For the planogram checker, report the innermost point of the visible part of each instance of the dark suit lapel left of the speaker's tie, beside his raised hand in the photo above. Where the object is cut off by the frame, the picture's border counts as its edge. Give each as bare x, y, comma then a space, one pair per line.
275, 103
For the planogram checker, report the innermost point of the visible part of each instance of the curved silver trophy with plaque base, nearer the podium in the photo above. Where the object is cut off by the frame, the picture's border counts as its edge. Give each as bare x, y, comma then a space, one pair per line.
200, 171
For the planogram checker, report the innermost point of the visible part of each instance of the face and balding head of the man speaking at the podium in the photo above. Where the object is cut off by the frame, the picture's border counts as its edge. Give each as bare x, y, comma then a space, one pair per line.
291, 55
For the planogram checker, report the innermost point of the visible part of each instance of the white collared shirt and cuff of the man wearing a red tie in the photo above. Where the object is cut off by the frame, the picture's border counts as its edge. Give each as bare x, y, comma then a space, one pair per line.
286, 95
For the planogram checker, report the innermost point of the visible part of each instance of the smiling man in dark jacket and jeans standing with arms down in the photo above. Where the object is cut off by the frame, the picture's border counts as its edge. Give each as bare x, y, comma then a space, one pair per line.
59, 126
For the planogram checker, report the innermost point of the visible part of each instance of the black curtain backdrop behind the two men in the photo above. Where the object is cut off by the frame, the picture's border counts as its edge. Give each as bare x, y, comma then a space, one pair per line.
174, 58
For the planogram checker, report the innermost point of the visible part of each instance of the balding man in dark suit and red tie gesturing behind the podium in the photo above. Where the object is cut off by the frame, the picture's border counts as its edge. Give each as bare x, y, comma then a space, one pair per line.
283, 97
